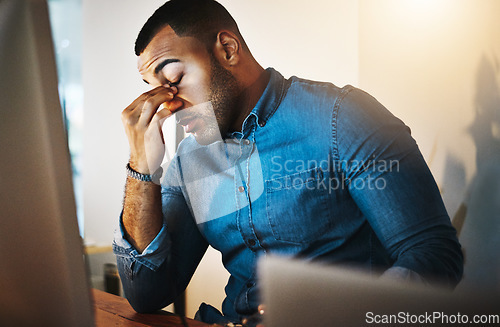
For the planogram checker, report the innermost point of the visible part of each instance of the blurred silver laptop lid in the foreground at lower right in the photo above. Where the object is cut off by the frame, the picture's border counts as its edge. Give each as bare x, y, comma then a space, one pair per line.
298, 293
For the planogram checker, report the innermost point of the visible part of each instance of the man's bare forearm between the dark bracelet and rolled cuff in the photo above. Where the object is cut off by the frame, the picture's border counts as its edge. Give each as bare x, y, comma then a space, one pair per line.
142, 215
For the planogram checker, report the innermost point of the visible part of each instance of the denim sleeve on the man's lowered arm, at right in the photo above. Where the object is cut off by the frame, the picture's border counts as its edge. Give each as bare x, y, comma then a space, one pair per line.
392, 185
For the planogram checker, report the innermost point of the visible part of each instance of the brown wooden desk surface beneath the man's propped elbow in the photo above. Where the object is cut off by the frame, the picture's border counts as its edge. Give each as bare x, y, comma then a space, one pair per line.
112, 310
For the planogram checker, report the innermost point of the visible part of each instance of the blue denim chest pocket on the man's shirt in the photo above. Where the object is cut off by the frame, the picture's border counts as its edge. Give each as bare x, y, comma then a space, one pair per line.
297, 206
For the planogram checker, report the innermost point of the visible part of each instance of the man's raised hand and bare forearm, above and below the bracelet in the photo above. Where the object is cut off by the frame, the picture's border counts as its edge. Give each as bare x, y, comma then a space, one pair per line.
142, 120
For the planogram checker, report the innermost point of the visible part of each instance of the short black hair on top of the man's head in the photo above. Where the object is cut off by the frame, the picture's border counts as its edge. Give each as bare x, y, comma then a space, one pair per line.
202, 19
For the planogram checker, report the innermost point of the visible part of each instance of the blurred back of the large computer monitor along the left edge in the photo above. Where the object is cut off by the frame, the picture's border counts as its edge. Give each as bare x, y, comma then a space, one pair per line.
43, 279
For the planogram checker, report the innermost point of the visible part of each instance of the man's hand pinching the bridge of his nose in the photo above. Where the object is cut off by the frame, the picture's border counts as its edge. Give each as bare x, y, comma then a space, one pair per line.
143, 121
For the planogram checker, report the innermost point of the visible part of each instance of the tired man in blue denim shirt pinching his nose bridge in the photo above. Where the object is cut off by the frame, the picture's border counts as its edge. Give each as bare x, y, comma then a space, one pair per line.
272, 166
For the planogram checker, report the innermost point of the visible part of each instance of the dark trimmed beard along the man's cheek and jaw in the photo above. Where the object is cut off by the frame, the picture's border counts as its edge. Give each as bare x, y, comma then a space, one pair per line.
220, 112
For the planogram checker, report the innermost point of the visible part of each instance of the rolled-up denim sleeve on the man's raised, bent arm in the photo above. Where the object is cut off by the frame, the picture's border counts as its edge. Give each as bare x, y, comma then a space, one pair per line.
154, 278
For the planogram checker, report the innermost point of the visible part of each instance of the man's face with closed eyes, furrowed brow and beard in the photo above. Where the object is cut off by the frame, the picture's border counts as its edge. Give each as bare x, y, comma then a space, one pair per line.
207, 90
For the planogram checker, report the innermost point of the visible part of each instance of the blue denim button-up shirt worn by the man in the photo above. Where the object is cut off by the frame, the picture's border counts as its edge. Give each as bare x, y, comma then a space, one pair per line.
317, 172
